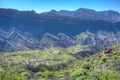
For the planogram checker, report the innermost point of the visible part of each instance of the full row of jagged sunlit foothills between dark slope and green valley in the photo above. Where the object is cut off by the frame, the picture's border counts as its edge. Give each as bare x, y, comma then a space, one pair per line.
16, 40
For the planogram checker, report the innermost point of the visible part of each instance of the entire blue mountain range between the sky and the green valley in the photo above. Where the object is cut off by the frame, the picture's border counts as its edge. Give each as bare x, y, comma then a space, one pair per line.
27, 30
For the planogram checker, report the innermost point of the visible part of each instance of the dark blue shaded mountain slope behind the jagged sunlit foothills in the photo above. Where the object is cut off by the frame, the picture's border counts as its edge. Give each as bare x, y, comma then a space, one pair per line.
39, 24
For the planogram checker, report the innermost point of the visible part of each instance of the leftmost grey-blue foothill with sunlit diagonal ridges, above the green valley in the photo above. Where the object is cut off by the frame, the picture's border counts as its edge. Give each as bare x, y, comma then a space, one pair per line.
15, 40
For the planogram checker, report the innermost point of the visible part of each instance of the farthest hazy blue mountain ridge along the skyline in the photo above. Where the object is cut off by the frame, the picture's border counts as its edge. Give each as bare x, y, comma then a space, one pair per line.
81, 13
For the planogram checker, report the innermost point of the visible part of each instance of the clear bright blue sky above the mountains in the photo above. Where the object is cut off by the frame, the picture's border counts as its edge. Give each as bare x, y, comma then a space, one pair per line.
47, 5
